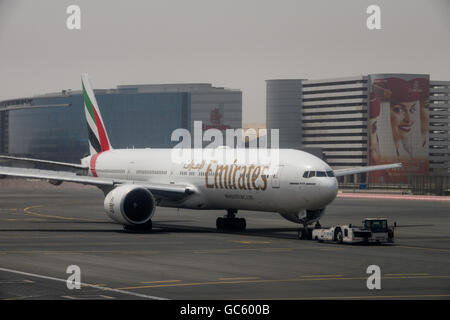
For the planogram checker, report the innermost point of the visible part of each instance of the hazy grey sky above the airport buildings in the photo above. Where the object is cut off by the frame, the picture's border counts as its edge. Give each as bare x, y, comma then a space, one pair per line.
232, 43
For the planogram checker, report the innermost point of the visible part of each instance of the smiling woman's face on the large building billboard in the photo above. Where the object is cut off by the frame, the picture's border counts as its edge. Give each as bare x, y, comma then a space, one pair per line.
402, 119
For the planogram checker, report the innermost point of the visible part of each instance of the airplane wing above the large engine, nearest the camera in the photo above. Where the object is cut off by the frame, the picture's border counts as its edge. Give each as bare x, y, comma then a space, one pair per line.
159, 190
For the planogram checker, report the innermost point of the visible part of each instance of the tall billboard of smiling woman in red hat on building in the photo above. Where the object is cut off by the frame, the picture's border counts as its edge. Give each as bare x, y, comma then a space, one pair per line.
398, 125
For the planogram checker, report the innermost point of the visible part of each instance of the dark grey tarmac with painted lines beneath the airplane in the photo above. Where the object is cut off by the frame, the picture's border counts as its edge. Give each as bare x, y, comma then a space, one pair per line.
44, 229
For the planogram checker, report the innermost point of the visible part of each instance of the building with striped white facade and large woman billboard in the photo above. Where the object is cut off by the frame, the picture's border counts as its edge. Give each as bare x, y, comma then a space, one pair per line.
366, 120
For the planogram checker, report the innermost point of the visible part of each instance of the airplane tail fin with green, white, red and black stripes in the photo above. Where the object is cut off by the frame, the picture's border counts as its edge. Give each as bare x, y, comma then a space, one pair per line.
98, 138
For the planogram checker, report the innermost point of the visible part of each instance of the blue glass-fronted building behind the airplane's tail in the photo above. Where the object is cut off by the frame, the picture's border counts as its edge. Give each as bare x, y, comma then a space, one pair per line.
53, 126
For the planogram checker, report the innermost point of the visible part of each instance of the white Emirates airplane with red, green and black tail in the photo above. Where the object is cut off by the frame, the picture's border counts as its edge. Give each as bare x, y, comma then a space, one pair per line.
299, 187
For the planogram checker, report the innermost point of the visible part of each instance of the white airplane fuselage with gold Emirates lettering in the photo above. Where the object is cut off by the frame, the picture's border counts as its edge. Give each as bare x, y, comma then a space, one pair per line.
227, 184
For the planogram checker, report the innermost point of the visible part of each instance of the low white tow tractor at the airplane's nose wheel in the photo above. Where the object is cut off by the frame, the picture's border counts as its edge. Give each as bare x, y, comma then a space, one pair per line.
374, 230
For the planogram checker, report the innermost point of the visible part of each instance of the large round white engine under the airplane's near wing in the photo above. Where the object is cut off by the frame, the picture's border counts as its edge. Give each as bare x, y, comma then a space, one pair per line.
130, 205
